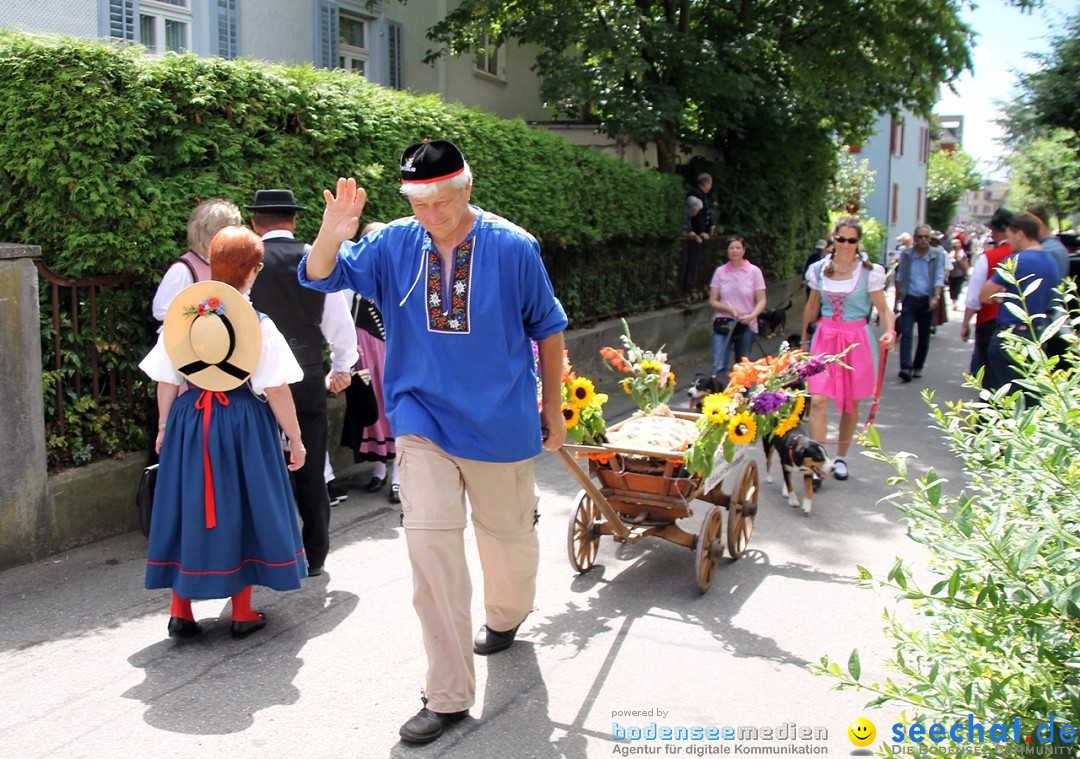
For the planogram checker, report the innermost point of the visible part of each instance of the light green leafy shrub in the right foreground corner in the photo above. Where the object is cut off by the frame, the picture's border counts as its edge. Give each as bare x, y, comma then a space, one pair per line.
1001, 634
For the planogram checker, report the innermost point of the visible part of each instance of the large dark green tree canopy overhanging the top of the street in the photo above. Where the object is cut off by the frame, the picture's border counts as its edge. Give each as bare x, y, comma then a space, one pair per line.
680, 73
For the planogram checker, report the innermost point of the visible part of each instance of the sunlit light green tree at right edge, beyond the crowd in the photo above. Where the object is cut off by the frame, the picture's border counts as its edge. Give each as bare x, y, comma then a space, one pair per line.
1047, 172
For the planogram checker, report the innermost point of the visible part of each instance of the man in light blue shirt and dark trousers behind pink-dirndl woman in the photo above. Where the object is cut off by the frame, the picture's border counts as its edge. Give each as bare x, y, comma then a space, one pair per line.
921, 278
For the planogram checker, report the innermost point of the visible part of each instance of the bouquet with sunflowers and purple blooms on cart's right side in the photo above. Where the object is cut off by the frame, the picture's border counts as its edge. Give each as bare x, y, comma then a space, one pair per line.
763, 398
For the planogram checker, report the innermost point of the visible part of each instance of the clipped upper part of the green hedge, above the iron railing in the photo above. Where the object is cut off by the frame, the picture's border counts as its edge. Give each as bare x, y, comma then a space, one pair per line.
106, 152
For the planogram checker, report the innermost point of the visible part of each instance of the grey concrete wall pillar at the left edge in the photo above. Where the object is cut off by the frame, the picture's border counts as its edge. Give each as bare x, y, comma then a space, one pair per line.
24, 483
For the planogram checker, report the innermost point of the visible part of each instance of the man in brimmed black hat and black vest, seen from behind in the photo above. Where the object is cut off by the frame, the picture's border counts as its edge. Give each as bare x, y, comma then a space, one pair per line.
306, 319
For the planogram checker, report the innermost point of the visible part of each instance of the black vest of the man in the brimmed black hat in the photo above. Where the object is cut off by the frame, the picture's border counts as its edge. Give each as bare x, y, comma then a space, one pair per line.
296, 310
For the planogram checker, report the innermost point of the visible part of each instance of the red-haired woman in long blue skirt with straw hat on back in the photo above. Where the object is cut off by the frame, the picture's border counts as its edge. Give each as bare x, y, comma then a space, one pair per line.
224, 516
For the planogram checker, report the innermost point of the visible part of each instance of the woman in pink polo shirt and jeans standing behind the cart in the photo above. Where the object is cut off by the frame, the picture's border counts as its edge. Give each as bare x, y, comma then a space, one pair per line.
737, 293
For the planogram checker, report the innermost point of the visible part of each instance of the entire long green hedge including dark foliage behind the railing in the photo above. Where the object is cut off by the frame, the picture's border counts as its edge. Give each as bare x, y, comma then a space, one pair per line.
106, 152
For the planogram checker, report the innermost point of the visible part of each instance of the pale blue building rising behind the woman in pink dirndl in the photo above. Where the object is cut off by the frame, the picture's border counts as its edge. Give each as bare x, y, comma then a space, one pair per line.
899, 154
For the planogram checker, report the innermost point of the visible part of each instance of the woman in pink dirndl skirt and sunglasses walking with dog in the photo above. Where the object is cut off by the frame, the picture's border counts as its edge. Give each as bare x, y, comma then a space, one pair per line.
844, 289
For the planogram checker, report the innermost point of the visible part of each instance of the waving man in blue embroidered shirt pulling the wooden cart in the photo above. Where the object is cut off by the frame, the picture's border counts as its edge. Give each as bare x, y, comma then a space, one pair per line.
464, 294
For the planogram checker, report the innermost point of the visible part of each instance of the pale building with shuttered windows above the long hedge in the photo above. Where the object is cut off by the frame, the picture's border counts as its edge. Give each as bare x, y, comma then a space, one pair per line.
386, 43
